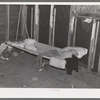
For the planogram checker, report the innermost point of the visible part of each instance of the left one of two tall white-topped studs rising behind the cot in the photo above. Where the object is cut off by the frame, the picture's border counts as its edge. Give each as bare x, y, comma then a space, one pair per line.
36, 23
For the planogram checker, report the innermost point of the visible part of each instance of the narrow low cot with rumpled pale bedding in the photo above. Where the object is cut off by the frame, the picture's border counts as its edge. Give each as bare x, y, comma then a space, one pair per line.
55, 55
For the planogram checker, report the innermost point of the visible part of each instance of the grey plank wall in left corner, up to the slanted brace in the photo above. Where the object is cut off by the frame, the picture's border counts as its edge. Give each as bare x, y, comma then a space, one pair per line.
13, 20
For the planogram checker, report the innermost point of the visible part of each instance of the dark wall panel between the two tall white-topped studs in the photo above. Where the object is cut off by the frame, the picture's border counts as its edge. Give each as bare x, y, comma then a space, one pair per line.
44, 19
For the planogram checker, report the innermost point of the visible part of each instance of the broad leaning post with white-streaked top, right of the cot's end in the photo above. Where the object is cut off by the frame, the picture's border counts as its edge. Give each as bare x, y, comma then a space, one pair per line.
91, 49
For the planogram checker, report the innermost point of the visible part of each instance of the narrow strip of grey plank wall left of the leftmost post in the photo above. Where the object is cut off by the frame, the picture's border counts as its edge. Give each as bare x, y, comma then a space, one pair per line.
3, 20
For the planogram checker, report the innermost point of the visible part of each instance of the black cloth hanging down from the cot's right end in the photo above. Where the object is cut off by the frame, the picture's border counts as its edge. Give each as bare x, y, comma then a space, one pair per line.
72, 64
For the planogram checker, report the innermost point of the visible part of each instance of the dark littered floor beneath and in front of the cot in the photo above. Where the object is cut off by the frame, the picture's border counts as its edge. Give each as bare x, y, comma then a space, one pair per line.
22, 71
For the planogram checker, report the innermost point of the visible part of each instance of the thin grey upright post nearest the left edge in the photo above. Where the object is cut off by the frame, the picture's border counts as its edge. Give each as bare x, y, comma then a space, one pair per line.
8, 16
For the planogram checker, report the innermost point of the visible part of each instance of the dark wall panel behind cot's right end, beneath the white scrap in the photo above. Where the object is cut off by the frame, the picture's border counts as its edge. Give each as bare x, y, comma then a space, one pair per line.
83, 37
